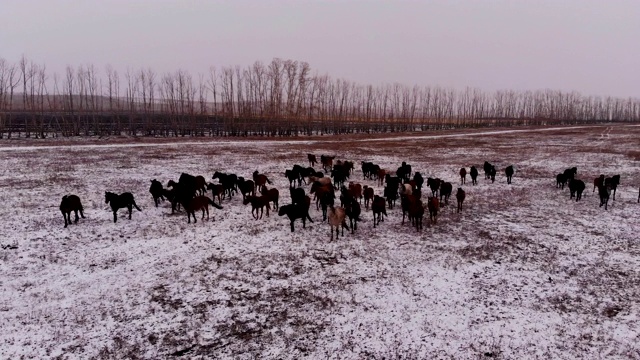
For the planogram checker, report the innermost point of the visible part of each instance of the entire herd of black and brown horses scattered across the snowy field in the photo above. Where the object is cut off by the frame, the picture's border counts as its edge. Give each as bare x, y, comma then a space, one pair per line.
333, 182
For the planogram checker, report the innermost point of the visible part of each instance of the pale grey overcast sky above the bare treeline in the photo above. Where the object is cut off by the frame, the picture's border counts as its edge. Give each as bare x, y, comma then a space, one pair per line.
584, 45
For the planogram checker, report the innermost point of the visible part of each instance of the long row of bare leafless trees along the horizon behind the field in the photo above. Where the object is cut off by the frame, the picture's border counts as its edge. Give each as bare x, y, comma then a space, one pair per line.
283, 97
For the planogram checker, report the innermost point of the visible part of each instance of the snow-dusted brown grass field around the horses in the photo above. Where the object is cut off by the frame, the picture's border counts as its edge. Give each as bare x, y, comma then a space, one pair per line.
523, 272
